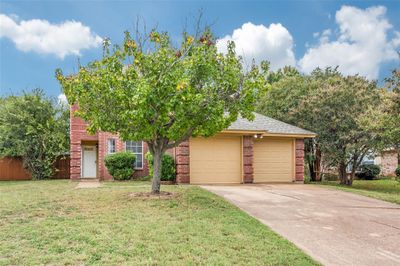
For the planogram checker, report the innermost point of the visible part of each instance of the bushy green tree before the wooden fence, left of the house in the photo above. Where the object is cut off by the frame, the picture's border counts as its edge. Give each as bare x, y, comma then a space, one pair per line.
36, 128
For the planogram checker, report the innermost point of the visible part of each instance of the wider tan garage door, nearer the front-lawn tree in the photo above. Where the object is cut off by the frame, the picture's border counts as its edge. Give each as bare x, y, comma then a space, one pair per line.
215, 160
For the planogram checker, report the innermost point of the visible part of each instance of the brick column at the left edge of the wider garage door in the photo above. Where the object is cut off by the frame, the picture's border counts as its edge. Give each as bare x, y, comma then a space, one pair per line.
182, 163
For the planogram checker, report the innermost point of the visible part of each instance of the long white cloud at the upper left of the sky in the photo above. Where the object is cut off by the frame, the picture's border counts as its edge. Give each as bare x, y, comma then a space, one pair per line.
40, 36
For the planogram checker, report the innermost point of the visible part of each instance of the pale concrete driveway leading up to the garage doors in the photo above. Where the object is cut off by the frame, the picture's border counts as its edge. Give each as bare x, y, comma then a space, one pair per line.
333, 227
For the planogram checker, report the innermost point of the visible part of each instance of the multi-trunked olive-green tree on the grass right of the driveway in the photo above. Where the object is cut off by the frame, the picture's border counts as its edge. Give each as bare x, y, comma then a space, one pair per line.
337, 109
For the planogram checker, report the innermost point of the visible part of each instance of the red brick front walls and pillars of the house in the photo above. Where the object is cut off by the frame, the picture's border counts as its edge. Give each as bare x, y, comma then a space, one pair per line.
101, 142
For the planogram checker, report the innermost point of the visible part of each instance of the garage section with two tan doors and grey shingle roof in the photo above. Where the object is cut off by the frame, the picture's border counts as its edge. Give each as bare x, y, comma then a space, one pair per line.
263, 150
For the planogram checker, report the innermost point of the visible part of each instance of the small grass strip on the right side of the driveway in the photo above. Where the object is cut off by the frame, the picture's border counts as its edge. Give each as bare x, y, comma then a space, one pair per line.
383, 189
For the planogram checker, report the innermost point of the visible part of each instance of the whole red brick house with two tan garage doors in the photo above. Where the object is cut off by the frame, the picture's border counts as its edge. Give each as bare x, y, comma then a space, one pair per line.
263, 150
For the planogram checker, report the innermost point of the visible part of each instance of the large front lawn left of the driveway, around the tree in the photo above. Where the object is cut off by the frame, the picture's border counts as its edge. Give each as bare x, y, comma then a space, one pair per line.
51, 222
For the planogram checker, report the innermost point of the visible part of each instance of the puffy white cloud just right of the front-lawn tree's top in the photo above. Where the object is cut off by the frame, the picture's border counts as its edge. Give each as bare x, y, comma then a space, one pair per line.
273, 43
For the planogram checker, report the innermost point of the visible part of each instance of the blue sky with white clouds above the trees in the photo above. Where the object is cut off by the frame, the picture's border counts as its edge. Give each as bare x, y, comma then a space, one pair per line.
36, 37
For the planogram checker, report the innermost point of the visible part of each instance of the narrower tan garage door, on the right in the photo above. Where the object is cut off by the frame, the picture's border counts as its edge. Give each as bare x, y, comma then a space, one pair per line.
273, 160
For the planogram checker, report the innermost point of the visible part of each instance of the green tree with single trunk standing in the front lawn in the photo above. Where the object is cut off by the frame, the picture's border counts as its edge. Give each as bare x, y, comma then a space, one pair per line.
154, 91
